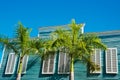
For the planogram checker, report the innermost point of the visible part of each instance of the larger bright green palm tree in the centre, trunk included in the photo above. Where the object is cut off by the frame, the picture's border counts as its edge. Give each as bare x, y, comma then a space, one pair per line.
78, 45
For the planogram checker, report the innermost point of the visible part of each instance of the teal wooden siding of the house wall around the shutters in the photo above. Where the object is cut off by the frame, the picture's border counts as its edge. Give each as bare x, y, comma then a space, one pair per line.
81, 72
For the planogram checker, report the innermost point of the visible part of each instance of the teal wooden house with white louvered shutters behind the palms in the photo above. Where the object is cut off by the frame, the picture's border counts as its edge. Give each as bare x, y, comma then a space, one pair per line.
56, 67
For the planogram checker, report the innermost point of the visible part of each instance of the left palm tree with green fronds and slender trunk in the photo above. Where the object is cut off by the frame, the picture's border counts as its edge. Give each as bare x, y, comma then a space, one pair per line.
22, 45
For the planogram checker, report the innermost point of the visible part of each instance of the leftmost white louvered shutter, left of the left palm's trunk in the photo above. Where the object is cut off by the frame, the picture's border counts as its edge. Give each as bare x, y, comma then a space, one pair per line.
11, 63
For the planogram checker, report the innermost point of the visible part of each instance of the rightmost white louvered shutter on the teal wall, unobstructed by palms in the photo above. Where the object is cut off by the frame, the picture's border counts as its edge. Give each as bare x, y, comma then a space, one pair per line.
111, 60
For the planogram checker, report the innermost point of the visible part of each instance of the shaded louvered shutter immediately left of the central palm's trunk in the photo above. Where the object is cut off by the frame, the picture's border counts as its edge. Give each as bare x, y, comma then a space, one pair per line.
64, 63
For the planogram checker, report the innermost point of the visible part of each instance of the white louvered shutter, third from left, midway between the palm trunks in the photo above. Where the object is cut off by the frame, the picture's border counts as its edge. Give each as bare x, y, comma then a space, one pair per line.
48, 65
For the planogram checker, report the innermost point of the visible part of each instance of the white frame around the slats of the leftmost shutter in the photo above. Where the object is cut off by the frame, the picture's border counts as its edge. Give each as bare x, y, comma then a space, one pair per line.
10, 60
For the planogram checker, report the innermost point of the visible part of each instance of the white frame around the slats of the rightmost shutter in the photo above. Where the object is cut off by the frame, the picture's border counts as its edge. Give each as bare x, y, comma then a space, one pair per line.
111, 64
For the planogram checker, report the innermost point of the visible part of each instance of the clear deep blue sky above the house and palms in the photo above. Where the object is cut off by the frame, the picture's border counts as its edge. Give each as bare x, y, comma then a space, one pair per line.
99, 15
